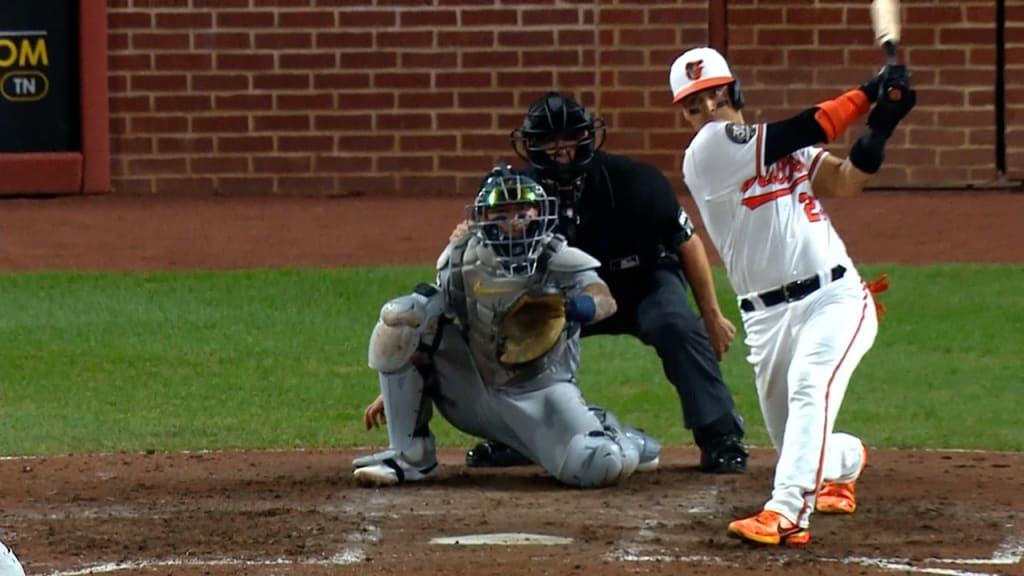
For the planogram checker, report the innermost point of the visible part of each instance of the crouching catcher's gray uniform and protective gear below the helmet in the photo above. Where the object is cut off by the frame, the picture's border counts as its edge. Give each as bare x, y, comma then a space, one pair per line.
534, 407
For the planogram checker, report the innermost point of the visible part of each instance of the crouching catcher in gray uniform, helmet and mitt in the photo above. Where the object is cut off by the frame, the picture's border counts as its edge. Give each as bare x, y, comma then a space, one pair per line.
516, 387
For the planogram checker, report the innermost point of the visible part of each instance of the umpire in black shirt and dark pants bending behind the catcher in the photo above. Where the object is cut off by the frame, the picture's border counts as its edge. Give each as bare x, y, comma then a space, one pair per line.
626, 215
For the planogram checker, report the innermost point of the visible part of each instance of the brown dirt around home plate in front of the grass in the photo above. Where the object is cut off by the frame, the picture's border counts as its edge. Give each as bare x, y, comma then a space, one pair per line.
301, 513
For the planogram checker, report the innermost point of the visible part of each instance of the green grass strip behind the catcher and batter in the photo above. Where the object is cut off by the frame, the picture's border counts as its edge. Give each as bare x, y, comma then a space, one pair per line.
277, 359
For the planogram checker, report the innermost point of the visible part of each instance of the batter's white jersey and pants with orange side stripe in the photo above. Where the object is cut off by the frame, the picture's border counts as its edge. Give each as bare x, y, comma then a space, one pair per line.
772, 231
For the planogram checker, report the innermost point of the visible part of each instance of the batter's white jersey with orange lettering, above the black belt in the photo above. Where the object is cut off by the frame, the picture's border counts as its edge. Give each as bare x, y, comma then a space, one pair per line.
765, 222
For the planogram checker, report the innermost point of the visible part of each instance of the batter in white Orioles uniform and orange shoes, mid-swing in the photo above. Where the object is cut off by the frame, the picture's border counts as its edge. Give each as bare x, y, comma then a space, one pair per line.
808, 316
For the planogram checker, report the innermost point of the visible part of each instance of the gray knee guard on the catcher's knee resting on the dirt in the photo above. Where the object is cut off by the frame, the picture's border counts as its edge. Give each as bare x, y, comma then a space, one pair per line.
594, 461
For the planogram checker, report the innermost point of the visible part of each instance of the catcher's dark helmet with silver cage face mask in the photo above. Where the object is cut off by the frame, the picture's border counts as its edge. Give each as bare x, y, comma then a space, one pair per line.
514, 216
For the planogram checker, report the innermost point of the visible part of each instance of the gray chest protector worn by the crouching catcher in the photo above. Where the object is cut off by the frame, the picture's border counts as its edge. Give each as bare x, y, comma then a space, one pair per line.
480, 295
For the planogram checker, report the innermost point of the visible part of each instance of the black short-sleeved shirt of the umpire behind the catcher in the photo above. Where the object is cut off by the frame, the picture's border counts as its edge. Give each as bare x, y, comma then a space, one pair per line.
629, 219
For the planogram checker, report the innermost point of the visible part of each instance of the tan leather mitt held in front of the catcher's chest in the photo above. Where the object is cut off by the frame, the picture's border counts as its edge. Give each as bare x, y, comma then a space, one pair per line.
531, 327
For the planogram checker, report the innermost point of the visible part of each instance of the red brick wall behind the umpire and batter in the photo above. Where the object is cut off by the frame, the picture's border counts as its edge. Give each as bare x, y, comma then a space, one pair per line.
418, 97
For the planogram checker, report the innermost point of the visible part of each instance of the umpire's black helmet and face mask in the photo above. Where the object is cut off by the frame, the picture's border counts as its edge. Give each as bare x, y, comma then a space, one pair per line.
552, 118
